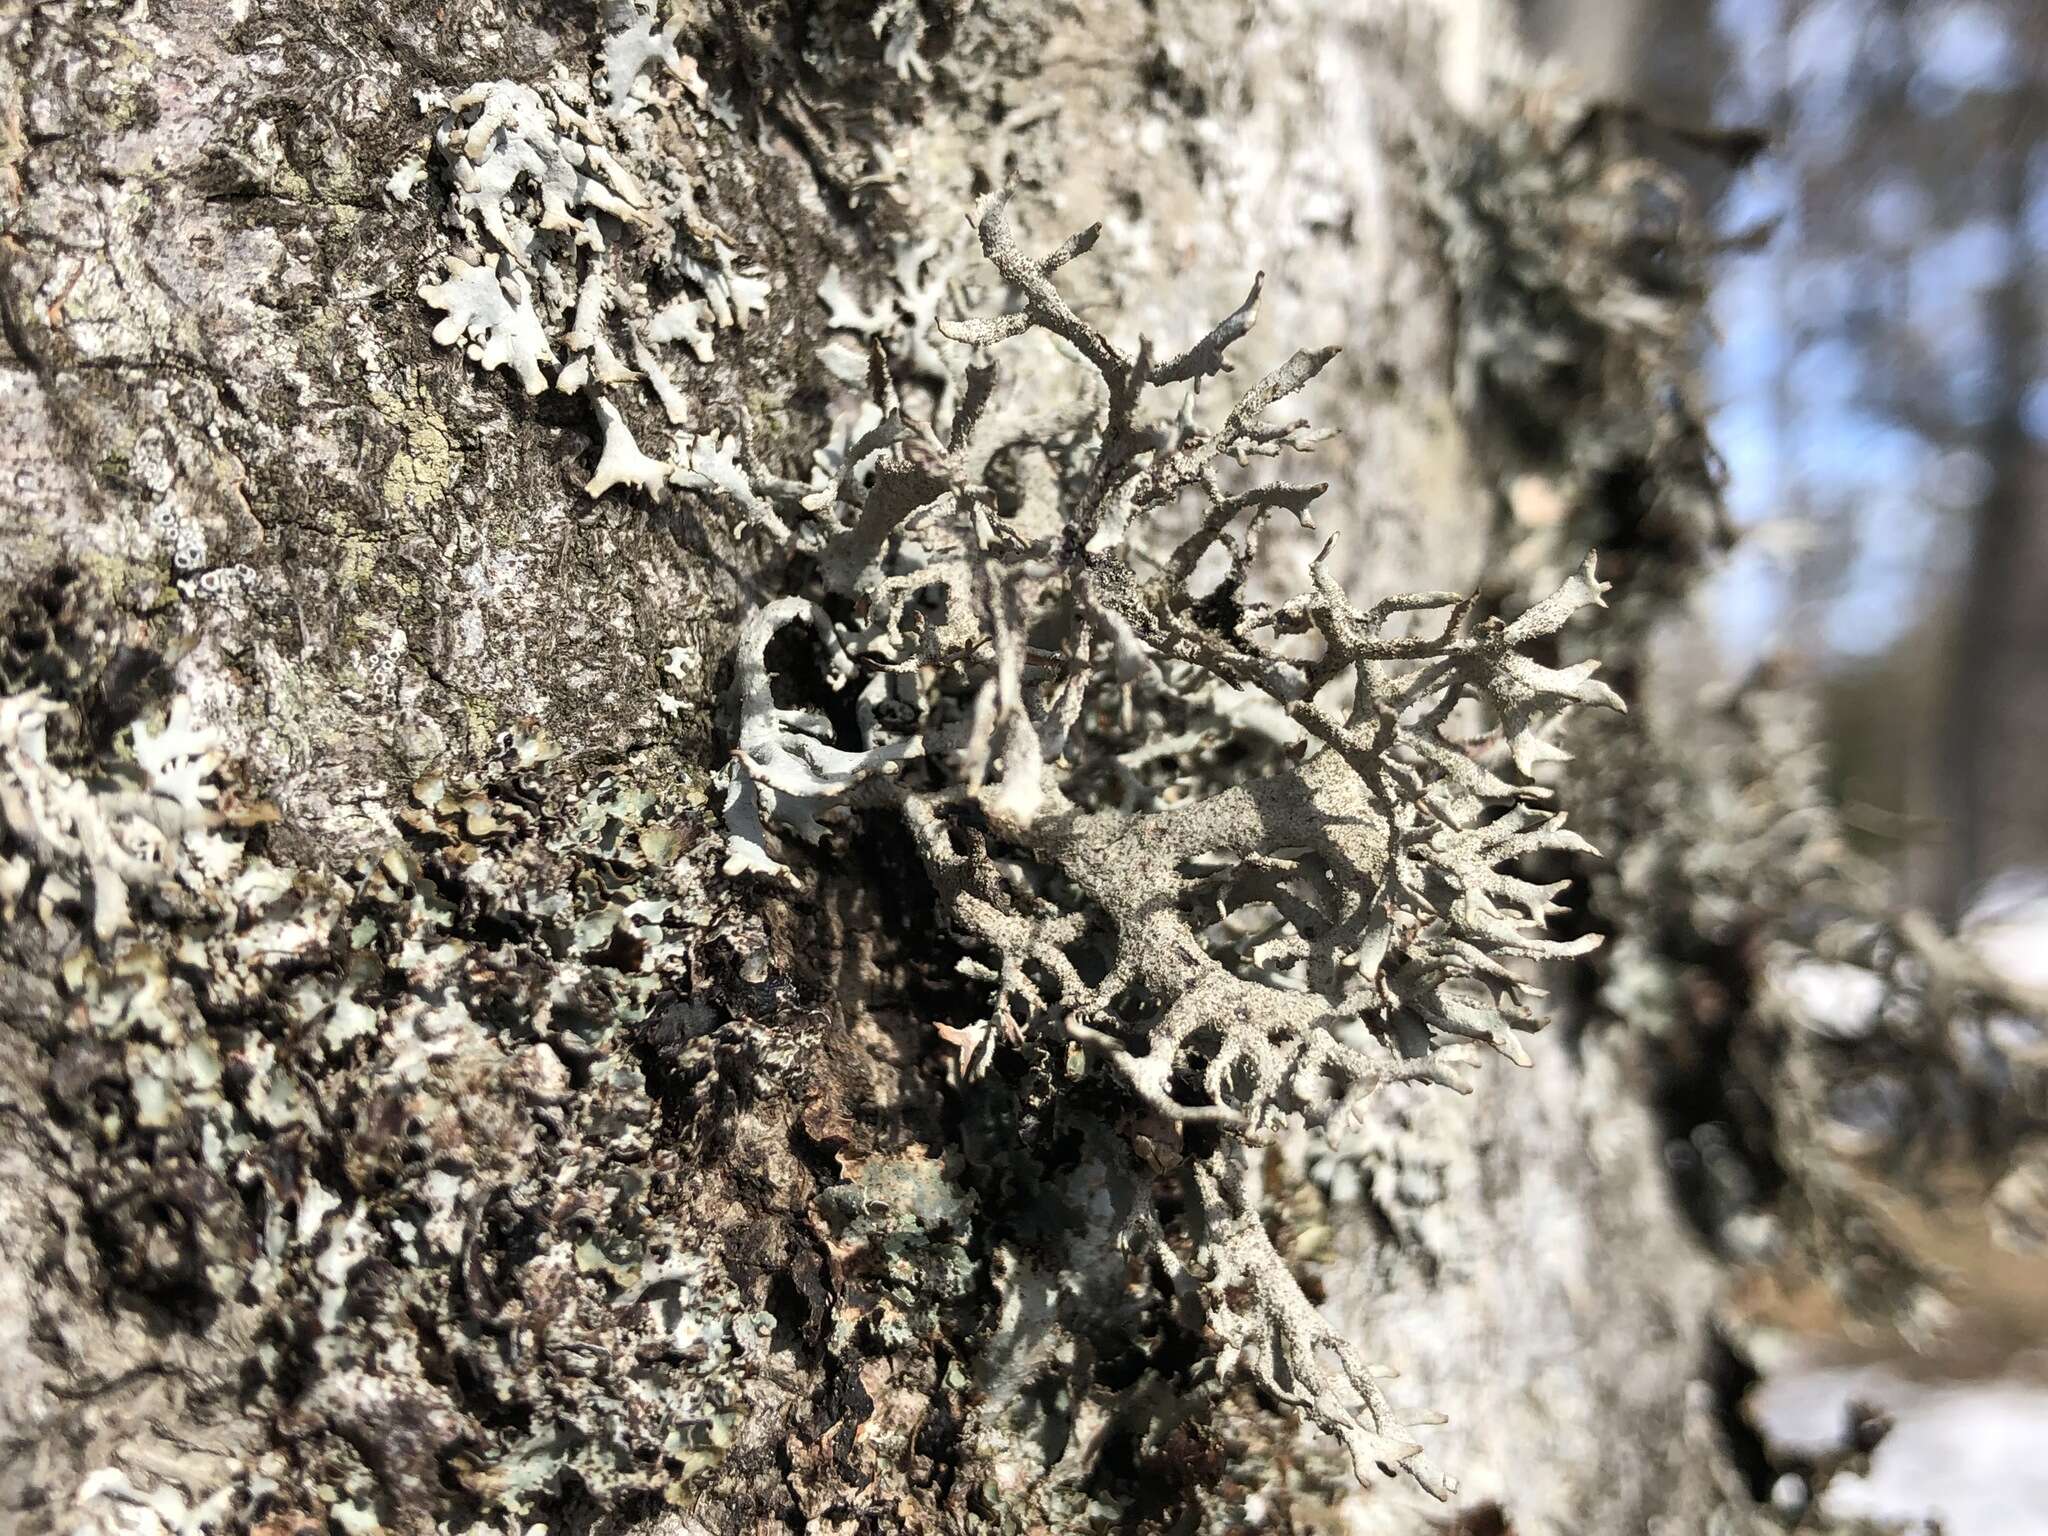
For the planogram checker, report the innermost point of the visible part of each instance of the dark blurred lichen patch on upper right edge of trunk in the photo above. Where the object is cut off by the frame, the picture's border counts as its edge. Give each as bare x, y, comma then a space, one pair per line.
1580, 273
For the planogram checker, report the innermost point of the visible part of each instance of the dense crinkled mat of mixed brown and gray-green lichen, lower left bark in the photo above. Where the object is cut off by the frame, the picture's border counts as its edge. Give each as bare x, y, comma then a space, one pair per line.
386, 1129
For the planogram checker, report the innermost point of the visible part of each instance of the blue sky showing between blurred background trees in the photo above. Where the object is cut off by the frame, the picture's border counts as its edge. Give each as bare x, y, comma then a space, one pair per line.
1816, 464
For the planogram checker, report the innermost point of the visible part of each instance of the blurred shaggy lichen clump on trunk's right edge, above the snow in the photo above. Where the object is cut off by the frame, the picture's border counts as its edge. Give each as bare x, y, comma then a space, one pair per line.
1857, 1054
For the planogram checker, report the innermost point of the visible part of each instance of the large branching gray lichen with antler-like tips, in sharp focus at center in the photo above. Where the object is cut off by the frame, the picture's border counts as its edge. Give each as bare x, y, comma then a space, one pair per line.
1256, 857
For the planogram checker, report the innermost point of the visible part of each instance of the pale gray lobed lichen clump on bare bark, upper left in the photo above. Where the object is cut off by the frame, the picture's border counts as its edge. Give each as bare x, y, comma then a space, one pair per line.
583, 257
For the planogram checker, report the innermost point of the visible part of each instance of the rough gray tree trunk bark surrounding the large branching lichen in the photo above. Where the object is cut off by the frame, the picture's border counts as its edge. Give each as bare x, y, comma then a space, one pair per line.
409, 1121
